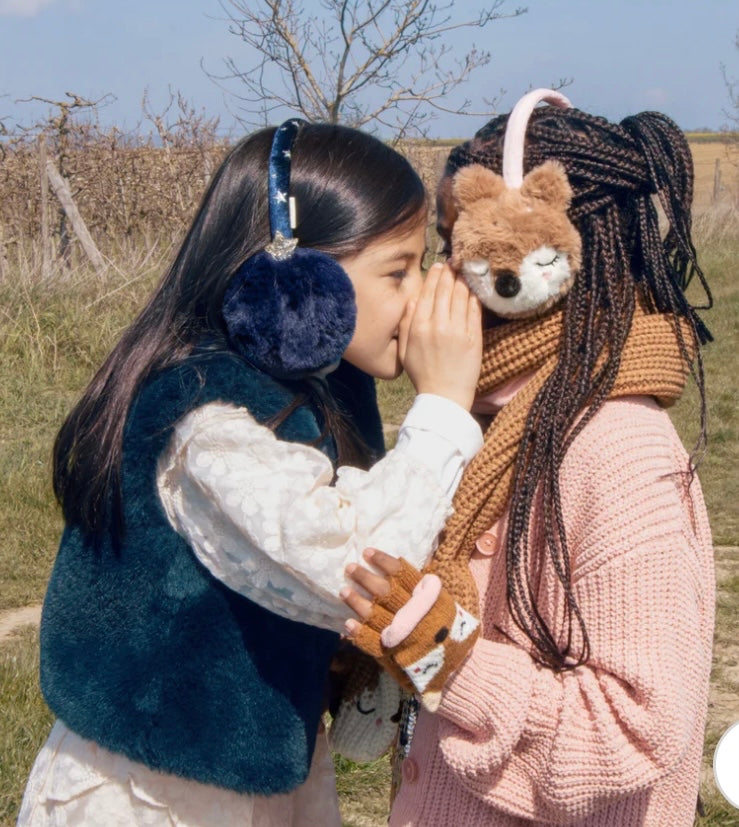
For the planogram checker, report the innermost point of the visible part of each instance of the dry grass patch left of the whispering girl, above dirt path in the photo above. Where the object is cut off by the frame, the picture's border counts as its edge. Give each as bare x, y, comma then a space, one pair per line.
52, 338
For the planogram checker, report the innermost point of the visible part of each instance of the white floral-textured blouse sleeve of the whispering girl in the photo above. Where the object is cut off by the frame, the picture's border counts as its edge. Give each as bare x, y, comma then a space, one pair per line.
264, 517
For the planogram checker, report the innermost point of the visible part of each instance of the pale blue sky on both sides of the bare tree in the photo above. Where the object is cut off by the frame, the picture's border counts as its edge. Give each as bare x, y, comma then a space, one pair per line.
623, 56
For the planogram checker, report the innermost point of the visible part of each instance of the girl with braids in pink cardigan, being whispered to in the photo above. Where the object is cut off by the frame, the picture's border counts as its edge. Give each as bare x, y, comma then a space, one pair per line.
580, 537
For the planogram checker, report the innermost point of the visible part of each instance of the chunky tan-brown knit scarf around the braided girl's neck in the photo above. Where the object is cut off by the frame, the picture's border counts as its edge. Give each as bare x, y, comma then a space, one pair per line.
651, 364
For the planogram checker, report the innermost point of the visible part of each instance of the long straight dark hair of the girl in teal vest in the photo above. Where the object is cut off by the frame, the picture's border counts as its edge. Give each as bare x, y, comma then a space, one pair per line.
351, 189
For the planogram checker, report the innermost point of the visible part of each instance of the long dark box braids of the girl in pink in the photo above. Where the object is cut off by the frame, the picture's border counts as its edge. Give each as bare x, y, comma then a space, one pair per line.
615, 170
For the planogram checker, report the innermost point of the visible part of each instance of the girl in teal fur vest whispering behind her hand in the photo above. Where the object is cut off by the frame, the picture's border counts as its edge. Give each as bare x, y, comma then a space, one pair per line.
214, 484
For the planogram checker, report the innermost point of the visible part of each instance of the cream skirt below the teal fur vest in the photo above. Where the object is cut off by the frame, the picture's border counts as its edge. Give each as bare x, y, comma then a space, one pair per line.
76, 782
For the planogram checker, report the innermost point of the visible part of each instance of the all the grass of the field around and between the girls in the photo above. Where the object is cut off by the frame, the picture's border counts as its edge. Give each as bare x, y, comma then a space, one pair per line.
52, 337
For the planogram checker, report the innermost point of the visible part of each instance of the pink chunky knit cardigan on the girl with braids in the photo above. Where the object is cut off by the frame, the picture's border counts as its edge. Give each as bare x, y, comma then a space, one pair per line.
618, 741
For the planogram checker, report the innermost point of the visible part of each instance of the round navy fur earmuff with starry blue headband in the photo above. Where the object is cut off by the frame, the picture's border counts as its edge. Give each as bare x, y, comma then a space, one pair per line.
289, 310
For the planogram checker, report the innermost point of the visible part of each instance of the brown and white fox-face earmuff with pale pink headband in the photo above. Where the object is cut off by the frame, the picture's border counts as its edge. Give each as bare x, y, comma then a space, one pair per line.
512, 241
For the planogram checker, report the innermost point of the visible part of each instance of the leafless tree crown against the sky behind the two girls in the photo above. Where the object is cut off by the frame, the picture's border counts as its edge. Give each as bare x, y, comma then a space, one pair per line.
363, 62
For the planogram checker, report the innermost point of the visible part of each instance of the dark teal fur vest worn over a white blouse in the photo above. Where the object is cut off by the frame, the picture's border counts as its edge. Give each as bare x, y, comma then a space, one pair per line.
146, 653
